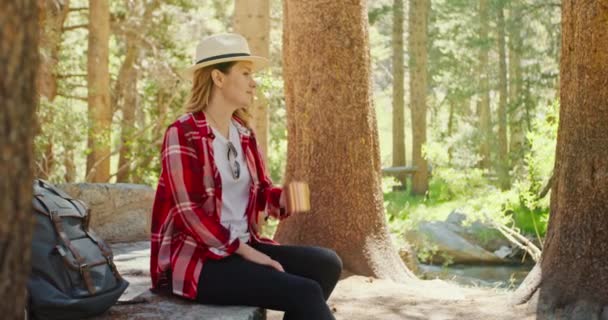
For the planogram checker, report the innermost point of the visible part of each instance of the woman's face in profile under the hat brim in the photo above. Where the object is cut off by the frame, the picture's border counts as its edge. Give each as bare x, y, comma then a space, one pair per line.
238, 86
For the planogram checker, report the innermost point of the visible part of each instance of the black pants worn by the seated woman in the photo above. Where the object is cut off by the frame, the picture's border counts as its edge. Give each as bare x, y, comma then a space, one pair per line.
311, 273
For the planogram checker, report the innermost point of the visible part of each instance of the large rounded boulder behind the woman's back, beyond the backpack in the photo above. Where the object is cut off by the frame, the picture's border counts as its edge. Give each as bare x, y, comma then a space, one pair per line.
119, 212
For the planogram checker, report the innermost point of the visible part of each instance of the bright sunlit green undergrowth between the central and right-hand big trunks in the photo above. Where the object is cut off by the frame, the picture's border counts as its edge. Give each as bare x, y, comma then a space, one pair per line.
472, 191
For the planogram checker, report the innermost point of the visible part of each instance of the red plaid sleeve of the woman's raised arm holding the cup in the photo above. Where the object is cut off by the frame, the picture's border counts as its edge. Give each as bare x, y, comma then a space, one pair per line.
269, 195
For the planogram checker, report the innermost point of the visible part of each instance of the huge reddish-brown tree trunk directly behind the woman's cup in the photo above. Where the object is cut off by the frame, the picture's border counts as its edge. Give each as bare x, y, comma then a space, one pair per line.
333, 136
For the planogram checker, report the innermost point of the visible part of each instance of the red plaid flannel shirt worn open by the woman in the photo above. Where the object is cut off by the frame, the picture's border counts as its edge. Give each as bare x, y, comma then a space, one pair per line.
186, 228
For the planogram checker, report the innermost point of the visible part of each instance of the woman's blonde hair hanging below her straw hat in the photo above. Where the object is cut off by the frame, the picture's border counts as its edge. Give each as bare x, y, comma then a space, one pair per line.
202, 86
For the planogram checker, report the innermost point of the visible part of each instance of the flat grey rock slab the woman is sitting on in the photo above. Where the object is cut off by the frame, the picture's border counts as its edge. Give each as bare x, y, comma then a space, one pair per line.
138, 303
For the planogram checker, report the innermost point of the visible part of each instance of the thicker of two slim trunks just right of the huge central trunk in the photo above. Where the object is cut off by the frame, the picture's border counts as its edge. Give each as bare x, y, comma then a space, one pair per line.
418, 39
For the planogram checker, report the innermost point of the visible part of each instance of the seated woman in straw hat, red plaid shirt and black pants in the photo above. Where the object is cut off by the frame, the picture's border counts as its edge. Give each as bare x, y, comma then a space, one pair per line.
212, 192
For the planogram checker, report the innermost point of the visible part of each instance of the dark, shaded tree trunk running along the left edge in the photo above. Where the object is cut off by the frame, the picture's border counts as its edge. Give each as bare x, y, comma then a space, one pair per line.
18, 66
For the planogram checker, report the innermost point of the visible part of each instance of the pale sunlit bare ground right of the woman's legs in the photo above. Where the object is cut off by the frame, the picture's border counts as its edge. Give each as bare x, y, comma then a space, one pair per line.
362, 298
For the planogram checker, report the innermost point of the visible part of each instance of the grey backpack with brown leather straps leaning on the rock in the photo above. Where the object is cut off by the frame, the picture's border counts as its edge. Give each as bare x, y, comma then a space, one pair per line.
73, 275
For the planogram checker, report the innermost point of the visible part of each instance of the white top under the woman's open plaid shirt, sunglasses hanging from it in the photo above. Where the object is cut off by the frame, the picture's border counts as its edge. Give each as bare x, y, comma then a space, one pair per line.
235, 193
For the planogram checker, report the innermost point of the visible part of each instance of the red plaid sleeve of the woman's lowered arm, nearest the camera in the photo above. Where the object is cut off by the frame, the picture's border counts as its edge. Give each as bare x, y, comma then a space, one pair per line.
193, 205
